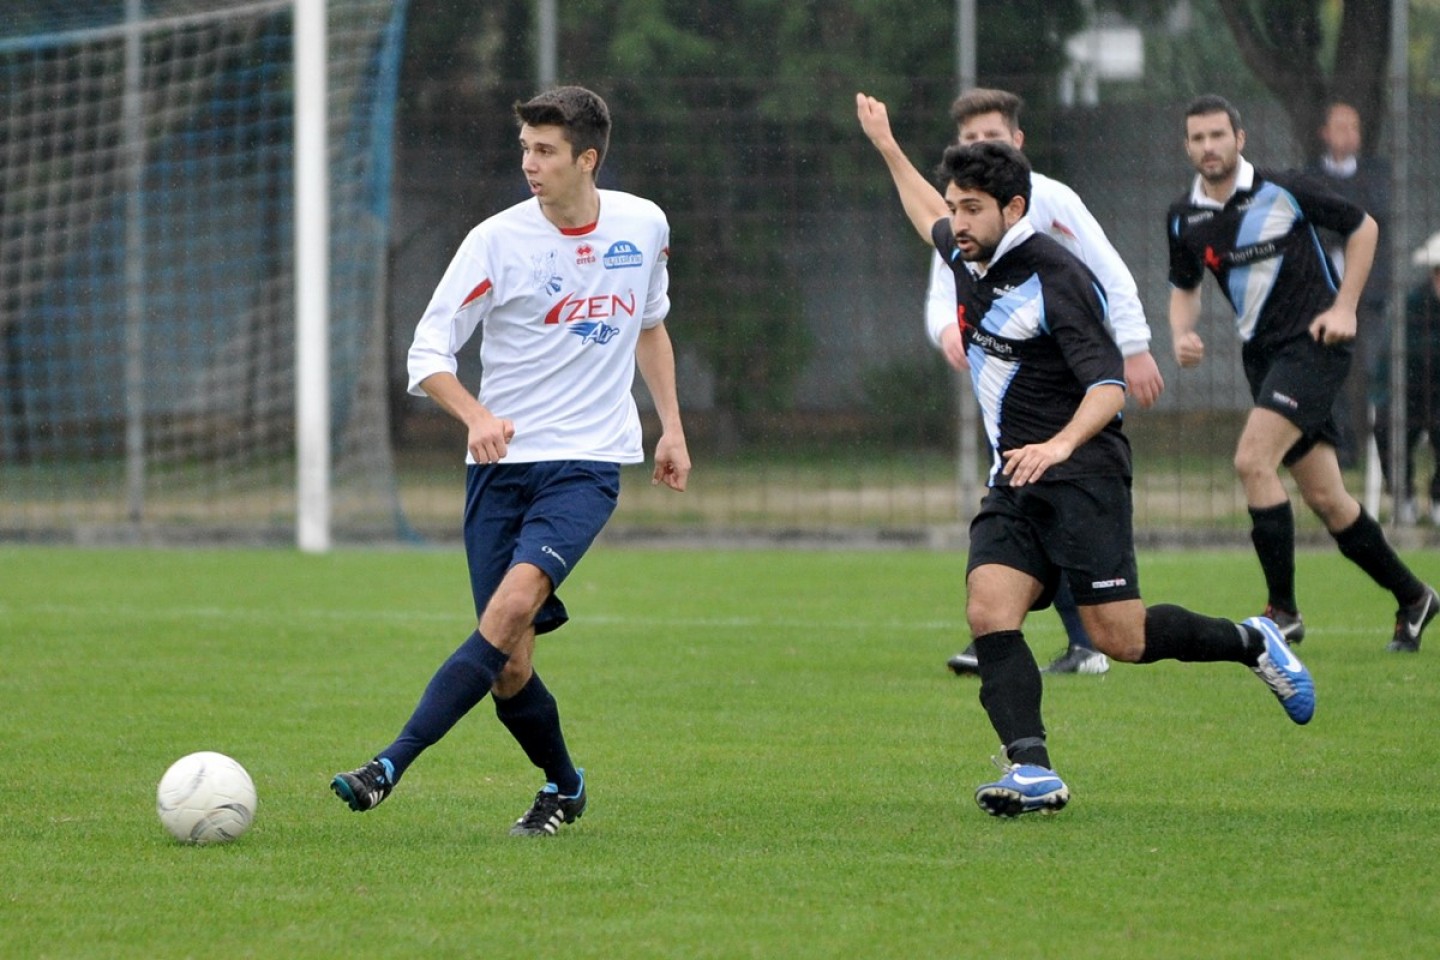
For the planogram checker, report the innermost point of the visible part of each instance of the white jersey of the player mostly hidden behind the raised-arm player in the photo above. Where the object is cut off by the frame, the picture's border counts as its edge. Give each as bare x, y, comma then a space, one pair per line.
1058, 211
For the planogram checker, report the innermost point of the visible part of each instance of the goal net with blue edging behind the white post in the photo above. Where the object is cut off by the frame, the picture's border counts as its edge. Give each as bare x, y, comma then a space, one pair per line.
148, 320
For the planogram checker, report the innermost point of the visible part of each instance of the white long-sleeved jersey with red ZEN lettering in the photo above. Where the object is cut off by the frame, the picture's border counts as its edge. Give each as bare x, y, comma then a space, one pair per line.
562, 313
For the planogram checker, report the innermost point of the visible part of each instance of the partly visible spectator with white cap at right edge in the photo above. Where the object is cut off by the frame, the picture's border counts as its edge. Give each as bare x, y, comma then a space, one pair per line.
1422, 386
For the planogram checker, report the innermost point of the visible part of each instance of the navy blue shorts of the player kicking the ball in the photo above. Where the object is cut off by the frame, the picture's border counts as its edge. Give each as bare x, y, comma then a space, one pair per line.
546, 515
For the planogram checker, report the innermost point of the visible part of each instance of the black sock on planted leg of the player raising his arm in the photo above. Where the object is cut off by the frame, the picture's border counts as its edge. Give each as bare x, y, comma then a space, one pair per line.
1010, 694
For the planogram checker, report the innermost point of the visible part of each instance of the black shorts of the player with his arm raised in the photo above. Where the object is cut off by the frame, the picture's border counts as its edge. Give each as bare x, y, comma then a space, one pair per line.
1079, 529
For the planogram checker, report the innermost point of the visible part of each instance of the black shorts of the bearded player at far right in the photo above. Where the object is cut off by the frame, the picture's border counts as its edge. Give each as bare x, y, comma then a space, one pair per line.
1301, 382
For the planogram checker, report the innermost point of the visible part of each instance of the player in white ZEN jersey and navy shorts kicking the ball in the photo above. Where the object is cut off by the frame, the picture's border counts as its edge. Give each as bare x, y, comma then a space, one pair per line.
571, 290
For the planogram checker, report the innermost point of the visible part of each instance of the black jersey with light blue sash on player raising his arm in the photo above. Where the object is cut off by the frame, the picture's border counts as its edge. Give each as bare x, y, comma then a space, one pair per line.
1036, 339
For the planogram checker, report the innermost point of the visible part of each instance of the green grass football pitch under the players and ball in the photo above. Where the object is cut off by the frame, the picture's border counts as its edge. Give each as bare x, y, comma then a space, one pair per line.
780, 766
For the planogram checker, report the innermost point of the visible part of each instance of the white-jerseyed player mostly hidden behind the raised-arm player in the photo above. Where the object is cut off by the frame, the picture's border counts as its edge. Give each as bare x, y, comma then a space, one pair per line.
986, 114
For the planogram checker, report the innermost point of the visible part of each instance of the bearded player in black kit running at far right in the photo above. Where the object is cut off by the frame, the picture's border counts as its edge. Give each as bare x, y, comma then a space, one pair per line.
1256, 232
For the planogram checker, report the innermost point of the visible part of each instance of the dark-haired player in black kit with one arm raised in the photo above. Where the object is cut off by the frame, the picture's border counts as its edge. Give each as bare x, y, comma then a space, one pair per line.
1052, 385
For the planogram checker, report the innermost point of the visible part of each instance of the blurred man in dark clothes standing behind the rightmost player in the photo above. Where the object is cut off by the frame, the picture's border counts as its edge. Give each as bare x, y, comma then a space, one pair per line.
1364, 181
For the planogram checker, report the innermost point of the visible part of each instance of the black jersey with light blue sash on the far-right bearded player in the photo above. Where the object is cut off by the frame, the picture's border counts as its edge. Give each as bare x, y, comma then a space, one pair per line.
1265, 251
